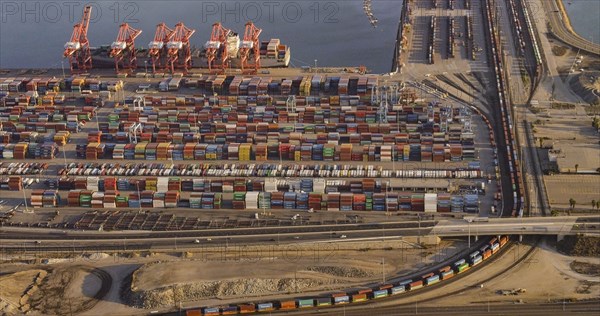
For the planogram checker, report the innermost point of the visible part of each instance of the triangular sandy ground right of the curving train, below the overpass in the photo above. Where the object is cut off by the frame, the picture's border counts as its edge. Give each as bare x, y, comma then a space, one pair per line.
545, 276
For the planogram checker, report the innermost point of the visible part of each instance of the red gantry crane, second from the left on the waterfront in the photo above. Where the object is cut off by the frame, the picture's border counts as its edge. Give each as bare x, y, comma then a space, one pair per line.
123, 49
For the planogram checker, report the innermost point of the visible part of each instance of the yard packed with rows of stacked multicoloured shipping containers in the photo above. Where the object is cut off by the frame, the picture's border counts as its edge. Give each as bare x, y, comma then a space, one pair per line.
263, 143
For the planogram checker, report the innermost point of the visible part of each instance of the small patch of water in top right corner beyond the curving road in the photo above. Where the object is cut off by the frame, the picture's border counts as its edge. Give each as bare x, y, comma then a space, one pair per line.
585, 18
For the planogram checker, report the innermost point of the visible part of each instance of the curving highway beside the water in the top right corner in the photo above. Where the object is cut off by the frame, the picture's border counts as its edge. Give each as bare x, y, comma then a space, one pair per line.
559, 29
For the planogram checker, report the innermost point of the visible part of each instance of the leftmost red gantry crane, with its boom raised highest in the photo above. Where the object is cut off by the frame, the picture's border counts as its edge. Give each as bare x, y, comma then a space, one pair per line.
78, 48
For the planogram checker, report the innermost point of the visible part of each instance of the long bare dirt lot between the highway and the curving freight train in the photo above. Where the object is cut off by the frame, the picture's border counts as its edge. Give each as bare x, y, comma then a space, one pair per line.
214, 278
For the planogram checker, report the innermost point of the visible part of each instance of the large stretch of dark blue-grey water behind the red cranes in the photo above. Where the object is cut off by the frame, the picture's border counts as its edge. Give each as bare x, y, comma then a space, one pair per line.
336, 33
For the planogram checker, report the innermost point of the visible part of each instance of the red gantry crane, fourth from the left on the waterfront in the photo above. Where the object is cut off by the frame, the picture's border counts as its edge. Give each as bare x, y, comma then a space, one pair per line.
179, 50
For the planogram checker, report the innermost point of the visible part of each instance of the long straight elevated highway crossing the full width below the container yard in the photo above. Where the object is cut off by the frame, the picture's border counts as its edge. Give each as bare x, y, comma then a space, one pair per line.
19, 239
